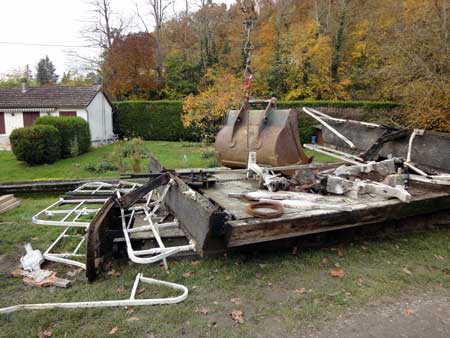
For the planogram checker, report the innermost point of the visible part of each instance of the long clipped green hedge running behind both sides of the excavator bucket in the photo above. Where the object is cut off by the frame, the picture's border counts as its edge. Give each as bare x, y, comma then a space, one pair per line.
161, 120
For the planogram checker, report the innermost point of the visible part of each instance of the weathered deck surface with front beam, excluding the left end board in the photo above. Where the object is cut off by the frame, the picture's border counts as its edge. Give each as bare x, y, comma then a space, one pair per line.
244, 229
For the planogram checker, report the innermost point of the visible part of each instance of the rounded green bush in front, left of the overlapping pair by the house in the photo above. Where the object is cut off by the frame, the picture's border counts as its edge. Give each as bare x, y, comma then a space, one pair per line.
36, 145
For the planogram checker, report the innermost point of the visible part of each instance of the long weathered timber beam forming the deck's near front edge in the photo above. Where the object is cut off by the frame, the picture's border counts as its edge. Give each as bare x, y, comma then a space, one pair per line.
249, 231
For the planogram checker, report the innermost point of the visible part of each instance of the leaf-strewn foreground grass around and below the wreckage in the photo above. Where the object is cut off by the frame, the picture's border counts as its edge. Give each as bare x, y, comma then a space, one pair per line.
281, 295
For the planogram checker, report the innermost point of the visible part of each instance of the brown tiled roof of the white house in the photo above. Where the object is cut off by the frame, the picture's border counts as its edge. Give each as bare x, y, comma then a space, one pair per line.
48, 96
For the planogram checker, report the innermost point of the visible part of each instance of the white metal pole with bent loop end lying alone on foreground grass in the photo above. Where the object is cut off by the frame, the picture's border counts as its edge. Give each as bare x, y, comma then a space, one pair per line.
132, 301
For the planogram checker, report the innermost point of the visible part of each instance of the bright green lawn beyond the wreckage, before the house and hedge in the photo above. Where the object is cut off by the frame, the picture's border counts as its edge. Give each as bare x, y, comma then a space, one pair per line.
171, 154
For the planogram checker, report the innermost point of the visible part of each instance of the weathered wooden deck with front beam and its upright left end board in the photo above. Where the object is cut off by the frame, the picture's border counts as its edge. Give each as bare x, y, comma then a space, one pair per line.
216, 222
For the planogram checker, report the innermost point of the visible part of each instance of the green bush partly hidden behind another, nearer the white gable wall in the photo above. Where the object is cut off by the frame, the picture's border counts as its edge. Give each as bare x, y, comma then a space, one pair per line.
74, 134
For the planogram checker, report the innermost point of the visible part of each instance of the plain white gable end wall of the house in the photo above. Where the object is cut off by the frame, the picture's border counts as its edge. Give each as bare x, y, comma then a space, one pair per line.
100, 119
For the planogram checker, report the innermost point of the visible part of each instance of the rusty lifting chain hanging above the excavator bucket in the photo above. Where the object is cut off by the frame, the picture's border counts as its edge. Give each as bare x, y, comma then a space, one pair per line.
250, 9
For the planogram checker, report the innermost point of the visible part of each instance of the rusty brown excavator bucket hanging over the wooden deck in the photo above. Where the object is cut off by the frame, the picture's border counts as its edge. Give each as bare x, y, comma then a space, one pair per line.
272, 133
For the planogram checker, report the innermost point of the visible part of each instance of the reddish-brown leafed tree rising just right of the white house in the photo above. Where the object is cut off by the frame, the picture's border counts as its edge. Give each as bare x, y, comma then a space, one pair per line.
130, 68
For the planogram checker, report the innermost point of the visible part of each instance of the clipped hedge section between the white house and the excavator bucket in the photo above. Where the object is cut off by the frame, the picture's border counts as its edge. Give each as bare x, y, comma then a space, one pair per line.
152, 120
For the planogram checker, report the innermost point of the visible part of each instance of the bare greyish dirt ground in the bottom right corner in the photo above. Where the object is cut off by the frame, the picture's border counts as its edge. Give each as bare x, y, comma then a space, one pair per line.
414, 316
